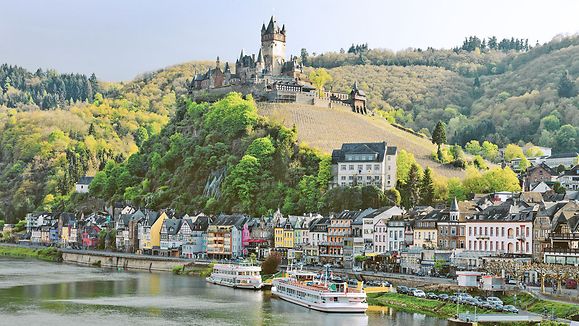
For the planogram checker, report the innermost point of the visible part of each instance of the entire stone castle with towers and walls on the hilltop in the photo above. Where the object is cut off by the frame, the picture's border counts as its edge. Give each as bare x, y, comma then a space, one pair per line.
272, 78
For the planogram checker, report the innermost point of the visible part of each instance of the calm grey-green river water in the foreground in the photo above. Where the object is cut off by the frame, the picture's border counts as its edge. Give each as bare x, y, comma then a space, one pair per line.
41, 293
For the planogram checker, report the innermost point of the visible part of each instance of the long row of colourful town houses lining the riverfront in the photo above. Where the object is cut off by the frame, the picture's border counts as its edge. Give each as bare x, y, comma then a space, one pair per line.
503, 224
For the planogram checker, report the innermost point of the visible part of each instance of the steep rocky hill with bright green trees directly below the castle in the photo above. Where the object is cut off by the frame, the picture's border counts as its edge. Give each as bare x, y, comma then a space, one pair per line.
224, 157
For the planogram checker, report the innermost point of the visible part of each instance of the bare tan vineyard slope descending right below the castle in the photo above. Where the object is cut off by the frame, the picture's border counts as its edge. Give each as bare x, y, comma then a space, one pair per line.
327, 129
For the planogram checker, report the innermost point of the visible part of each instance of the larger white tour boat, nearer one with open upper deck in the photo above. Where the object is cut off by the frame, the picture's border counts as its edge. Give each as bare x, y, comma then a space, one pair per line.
302, 288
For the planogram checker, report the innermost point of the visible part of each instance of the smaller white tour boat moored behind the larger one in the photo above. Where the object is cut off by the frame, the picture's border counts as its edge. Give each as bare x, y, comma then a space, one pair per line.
240, 276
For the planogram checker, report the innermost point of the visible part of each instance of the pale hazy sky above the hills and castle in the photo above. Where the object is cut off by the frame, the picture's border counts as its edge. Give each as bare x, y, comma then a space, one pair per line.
118, 39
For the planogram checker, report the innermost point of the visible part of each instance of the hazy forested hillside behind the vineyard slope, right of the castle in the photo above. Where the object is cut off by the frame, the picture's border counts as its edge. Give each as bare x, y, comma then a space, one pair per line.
505, 93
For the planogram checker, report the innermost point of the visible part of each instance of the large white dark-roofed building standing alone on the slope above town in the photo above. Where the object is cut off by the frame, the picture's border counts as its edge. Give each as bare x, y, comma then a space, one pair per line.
364, 164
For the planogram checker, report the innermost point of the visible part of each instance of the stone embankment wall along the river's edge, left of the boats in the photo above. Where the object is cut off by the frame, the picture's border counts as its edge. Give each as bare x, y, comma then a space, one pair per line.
124, 261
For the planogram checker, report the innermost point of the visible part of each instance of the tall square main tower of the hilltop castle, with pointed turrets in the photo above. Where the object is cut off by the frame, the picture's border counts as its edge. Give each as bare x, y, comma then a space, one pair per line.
273, 46
